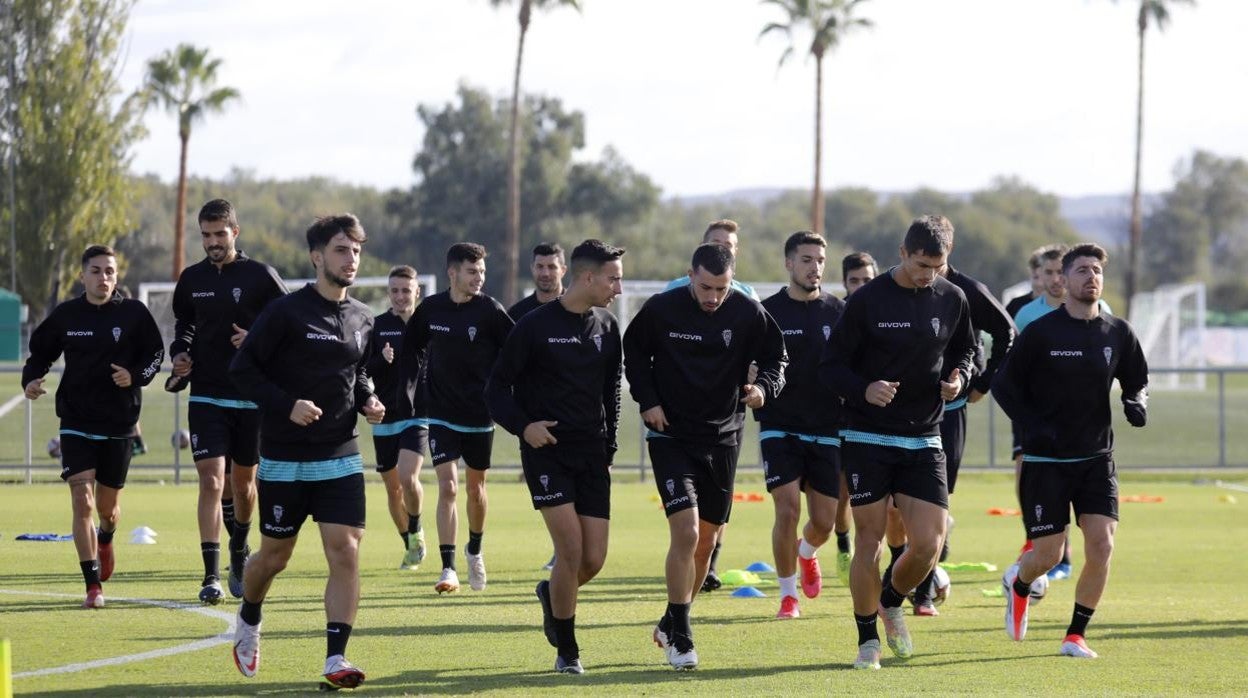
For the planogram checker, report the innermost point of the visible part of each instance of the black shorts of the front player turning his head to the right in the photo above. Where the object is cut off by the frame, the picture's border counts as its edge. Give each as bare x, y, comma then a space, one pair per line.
561, 476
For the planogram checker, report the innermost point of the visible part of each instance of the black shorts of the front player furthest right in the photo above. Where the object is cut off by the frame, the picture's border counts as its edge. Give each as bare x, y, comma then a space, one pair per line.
1048, 493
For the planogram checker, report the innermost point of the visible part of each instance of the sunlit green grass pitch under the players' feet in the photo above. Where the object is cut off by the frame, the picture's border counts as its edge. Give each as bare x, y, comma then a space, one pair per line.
1174, 620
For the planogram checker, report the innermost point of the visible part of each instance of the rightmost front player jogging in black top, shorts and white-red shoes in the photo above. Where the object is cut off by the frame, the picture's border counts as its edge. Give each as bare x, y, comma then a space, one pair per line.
1056, 386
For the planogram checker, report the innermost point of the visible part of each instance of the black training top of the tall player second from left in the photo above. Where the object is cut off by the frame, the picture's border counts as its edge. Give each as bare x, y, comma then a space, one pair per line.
208, 303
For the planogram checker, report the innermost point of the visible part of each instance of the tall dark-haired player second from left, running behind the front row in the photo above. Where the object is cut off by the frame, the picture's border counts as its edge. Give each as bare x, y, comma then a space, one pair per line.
215, 303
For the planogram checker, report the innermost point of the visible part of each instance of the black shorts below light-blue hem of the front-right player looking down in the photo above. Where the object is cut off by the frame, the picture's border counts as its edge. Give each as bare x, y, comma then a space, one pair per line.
873, 473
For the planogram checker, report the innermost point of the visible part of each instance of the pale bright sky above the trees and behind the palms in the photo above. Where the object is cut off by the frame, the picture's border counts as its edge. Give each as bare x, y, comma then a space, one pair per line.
944, 94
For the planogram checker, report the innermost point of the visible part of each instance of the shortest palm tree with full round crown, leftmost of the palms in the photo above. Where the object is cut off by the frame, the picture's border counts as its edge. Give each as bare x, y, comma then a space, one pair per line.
184, 82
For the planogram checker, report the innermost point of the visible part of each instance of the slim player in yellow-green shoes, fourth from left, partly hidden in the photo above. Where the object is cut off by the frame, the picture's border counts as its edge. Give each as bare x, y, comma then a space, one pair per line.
402, 438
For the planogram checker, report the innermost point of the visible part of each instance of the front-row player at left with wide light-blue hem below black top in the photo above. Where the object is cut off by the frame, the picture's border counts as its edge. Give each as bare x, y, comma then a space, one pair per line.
305, 365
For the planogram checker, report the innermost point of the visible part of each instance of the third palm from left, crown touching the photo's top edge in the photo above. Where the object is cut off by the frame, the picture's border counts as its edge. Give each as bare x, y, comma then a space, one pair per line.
828, 22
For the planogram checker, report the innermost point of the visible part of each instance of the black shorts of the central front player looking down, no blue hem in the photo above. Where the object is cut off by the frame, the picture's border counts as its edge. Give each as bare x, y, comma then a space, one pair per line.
691, 475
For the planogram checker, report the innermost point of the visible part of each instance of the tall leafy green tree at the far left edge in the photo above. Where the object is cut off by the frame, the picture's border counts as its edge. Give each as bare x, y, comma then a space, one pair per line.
67, 137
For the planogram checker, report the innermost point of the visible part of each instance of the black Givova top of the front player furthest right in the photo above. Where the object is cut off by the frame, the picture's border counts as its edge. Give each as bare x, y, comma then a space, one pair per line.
1055, 384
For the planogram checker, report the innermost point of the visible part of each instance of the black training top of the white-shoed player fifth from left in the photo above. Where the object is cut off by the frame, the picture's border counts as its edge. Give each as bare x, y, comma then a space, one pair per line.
461, 343
